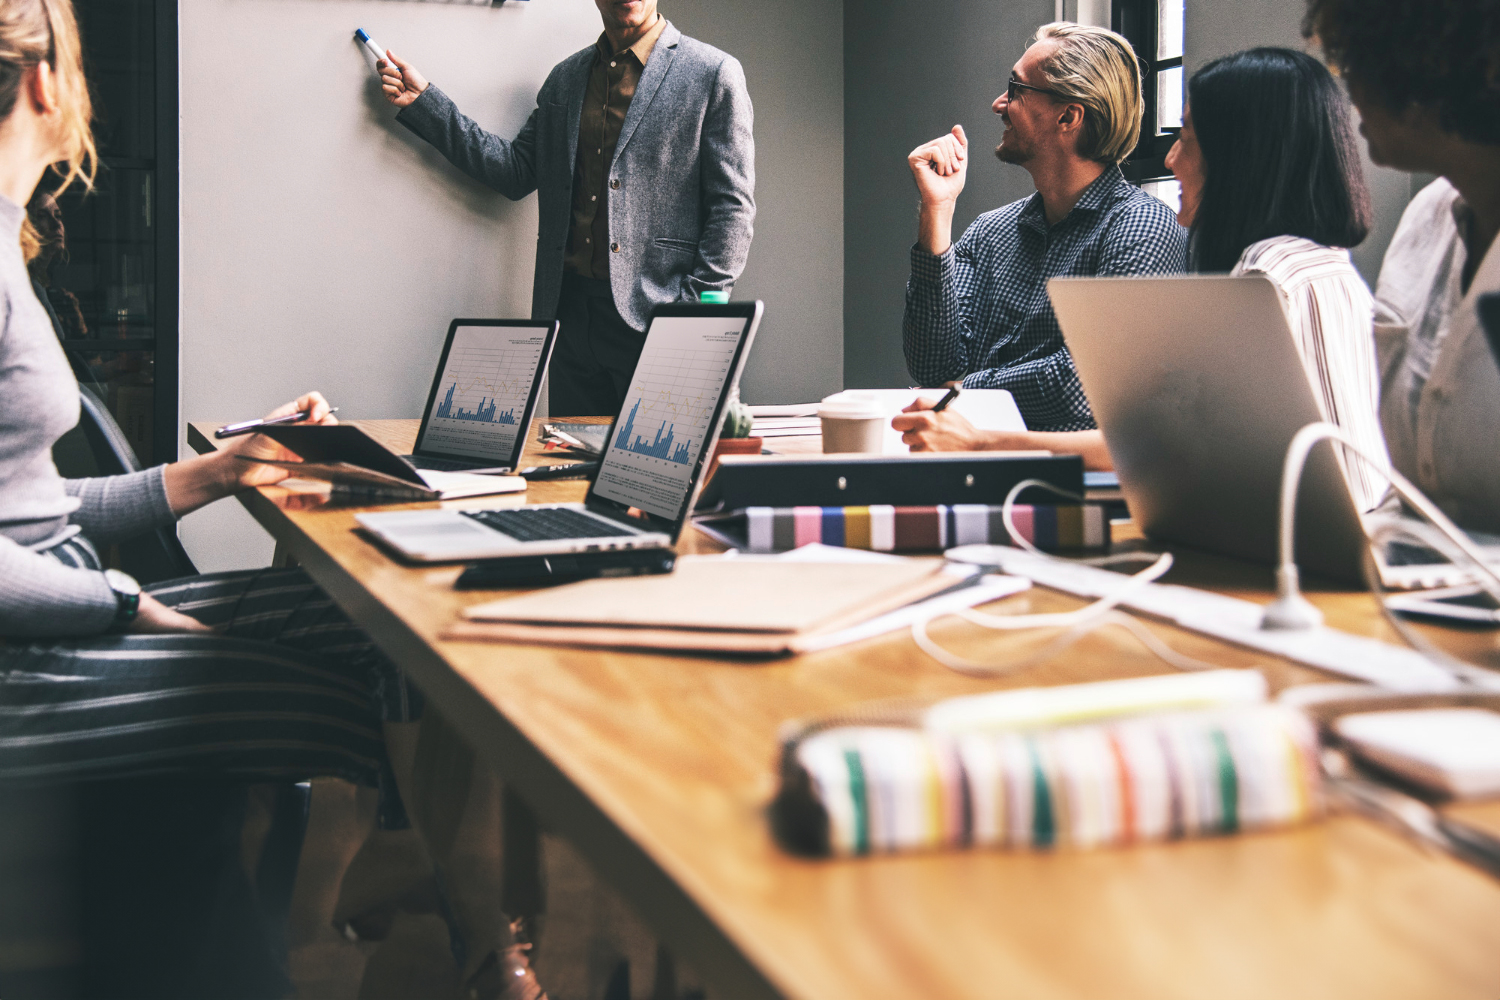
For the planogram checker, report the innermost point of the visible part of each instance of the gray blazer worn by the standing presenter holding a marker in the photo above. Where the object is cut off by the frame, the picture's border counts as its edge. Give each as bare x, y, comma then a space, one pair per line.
682, 199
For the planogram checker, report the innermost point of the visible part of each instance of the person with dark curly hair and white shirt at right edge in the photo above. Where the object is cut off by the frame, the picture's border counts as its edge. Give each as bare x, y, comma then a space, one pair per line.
1426, 77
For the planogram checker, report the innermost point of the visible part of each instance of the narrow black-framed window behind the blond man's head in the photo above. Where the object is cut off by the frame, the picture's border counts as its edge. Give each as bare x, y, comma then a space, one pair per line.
1156, 29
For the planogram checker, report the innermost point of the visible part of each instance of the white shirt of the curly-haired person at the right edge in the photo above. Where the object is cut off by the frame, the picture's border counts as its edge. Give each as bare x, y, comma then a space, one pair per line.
1439, 383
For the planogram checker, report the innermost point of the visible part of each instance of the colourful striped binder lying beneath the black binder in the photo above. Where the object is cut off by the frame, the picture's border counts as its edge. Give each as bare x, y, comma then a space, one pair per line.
883, 528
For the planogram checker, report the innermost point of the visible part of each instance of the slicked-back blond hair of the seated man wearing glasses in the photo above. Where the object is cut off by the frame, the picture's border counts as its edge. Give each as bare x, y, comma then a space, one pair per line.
1099, 70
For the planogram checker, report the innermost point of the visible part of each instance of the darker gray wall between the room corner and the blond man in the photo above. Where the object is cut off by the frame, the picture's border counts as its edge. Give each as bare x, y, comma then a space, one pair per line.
914, 70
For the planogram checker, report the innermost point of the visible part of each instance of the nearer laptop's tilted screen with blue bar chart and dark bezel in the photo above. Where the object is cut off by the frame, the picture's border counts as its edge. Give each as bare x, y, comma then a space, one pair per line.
674, 409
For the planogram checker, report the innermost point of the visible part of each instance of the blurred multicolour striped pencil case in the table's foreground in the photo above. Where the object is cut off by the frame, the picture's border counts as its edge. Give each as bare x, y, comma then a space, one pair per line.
1138, 779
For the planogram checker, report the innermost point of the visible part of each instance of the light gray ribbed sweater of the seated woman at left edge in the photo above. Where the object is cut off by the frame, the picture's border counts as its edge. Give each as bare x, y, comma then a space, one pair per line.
38, 507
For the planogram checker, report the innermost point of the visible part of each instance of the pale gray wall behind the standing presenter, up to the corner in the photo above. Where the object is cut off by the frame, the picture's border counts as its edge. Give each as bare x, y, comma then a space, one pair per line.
325, 247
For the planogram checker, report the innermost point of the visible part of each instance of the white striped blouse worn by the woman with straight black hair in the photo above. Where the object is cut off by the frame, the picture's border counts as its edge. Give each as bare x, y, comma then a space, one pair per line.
1331, 316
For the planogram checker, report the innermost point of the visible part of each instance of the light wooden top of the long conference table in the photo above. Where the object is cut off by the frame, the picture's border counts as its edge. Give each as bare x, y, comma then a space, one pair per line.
659, 770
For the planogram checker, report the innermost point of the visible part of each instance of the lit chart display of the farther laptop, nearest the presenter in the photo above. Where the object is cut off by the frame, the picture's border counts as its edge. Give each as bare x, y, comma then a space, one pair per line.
482, 394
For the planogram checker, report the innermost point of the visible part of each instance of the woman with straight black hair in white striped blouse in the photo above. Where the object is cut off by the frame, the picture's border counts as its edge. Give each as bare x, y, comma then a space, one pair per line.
1271, 185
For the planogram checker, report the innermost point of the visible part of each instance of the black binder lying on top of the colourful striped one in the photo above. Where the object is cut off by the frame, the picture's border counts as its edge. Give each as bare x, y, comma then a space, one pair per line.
908, 481
